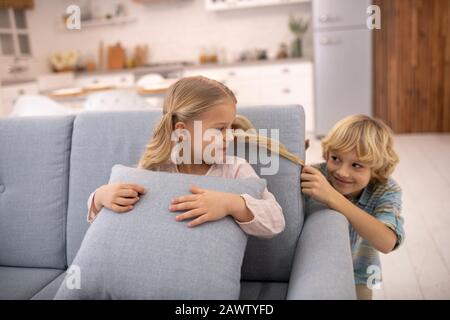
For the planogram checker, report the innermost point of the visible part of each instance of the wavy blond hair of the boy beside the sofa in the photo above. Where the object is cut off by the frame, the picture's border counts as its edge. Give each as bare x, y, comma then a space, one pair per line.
372, 140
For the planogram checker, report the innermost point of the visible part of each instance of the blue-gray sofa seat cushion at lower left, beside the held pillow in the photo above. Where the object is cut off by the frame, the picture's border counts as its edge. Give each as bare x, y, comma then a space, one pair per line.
18, 283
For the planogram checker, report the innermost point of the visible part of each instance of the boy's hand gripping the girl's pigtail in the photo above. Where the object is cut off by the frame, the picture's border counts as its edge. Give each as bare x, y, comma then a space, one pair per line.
315, 185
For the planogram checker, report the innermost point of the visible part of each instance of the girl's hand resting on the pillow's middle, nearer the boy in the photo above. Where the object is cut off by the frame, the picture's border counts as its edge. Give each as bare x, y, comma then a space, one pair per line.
208, 205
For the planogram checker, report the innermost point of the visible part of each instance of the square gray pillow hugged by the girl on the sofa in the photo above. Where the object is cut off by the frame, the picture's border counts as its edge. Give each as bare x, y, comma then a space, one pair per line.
146, 254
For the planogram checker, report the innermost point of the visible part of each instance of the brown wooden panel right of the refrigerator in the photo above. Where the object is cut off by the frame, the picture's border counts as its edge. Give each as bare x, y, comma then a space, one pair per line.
412, 65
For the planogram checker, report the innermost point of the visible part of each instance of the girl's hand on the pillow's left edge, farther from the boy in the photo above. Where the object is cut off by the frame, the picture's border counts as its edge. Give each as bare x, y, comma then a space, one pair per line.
118, 197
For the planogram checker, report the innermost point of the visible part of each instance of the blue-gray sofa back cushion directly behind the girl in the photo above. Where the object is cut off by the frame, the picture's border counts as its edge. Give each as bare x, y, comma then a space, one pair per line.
102, 139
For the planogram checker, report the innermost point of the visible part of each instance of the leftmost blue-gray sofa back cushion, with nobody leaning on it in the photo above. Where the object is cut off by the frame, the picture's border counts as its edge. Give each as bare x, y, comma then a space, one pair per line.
34, 177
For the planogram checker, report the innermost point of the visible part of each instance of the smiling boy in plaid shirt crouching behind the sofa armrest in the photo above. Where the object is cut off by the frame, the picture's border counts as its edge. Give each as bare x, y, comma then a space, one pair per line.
355, 181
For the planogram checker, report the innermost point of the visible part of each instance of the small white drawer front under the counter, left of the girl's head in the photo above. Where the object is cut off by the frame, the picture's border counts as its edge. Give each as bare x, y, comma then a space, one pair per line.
119, 80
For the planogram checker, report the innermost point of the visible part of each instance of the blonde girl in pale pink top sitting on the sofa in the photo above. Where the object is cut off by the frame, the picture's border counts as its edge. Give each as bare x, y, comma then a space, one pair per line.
200, 99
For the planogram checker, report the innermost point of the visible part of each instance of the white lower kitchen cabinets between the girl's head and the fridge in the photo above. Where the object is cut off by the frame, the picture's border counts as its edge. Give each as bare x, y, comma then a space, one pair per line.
267, 84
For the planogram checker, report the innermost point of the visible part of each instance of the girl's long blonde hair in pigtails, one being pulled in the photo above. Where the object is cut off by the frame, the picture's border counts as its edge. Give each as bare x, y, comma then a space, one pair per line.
186, 100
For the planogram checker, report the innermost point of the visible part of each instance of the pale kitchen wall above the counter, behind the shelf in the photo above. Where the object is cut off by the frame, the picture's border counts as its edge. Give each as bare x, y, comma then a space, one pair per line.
174, 29
